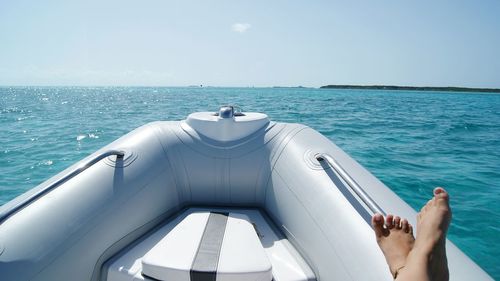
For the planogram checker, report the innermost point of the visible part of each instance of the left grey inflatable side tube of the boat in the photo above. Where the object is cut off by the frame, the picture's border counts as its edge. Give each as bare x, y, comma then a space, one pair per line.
65, 233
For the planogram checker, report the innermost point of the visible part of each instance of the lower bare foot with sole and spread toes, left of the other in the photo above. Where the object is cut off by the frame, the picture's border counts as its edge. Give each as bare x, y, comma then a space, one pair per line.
395, 239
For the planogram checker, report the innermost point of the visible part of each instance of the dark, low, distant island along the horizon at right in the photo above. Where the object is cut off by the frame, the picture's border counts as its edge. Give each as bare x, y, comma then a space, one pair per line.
410, 88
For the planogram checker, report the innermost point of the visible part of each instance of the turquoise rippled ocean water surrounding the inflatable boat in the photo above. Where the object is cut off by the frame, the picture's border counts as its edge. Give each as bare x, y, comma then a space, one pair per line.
412, 141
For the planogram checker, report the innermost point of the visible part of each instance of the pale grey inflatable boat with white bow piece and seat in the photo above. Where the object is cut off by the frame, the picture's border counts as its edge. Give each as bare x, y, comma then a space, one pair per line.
218, 196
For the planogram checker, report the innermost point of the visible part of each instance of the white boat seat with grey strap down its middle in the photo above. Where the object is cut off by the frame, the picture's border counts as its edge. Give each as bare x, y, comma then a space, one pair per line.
209, 246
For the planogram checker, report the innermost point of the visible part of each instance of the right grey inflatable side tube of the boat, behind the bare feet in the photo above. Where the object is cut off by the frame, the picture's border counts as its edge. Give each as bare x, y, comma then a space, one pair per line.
328, 223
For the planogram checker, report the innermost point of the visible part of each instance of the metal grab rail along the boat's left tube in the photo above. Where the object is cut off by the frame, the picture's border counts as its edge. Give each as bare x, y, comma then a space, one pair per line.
33, 197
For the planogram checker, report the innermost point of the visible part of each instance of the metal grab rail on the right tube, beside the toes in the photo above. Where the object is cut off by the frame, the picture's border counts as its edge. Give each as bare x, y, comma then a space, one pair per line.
351, 183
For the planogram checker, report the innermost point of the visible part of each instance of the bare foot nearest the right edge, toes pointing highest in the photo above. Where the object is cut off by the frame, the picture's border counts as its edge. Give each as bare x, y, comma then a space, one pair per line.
432, 225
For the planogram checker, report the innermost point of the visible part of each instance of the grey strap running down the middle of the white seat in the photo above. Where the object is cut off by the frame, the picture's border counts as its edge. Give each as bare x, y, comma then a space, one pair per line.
204, 267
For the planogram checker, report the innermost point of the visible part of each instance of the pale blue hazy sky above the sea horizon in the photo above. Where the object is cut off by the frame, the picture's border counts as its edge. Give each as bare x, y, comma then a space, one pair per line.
250, 43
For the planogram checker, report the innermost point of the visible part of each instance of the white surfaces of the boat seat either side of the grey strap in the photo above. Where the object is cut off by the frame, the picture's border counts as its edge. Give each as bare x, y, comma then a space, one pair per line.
241, 255
